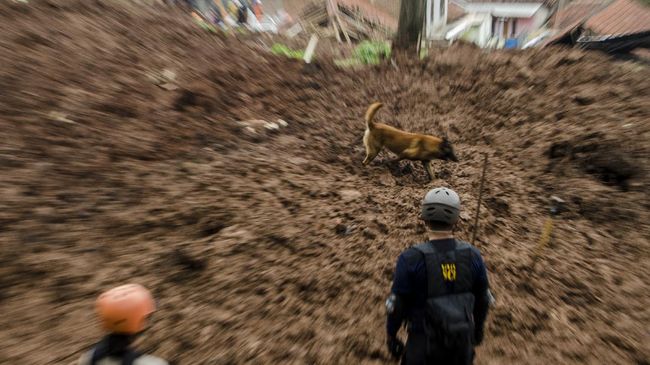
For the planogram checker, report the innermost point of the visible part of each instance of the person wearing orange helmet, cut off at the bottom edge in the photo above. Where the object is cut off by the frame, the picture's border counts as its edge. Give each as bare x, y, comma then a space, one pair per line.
123, 312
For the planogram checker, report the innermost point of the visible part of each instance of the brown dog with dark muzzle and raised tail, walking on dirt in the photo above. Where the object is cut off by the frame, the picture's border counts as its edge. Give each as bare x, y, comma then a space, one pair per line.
410, 146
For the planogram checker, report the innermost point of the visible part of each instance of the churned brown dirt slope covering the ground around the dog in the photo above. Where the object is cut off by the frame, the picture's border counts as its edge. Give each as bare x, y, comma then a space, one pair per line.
279, 247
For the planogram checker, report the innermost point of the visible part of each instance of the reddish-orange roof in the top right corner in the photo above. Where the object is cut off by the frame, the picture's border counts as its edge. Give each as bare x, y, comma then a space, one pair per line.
619, 18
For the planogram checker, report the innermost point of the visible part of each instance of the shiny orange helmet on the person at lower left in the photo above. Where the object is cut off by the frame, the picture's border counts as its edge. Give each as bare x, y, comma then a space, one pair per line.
124, 309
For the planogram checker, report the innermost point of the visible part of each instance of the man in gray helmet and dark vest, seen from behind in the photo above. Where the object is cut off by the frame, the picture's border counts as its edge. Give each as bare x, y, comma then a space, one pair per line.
440, 291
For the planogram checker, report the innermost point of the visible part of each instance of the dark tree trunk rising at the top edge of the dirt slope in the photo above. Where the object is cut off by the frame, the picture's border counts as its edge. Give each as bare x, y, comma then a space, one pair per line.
410, 26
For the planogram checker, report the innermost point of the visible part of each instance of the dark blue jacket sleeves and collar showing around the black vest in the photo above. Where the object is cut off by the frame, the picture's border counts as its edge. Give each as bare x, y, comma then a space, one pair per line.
410, 285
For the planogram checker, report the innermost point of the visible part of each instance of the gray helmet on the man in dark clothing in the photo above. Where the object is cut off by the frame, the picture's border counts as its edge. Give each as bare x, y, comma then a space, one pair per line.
441, 205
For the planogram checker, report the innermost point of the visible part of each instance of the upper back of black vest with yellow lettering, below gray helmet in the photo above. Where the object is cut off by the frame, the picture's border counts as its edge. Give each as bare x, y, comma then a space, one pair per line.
456, 274
